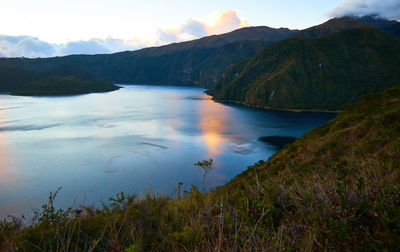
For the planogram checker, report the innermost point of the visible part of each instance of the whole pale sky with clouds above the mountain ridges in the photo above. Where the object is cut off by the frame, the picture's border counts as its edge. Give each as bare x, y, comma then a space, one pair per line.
43, 28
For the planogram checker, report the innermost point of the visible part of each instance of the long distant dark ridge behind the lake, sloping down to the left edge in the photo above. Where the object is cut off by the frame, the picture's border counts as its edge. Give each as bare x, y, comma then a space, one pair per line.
197, 62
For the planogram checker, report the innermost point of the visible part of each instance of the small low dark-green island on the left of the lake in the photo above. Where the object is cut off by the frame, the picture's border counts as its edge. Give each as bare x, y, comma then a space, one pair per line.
61, 86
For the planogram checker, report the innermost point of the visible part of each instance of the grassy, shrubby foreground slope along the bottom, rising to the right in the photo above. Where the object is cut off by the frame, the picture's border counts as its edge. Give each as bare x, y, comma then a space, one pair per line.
335, 188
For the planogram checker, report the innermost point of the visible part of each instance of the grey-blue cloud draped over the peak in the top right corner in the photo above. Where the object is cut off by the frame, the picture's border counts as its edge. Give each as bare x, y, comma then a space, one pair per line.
385, 8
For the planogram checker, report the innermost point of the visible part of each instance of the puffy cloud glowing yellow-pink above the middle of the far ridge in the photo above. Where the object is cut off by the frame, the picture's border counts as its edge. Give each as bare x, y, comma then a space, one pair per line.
216, 23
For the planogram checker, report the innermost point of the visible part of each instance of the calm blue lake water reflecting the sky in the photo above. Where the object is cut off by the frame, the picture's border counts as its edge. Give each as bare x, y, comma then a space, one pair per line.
136, 139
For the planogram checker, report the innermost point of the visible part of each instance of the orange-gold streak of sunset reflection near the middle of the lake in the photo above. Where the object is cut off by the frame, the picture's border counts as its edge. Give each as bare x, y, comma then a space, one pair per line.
213, 124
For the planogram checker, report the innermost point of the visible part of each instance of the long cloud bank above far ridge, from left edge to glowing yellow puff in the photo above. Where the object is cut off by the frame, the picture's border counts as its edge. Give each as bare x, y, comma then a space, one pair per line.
28, 46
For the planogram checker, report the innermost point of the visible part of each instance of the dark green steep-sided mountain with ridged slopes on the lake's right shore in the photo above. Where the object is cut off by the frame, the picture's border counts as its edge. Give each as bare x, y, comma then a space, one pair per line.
314, 74
